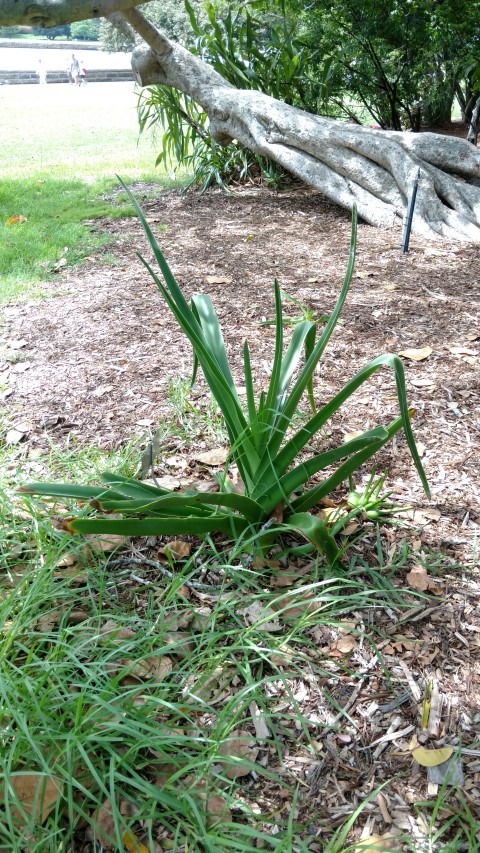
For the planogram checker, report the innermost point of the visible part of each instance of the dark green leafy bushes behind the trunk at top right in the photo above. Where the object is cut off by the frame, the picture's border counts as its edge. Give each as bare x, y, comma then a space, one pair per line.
398, 64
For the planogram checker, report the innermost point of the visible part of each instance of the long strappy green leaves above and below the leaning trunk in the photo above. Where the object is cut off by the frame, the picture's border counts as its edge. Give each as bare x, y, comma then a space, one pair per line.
249, 54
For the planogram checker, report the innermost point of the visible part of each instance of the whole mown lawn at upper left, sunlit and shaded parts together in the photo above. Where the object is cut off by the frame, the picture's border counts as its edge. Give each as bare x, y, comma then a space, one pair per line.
61, 150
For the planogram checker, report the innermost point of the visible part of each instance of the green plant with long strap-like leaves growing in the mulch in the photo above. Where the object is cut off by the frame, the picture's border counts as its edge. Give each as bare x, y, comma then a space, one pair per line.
264, 442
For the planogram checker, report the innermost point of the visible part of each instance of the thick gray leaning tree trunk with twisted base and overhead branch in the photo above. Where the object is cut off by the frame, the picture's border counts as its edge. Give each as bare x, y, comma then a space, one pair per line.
349, 164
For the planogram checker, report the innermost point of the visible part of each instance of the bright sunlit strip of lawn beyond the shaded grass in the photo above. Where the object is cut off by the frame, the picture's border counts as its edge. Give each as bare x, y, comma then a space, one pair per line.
64, 132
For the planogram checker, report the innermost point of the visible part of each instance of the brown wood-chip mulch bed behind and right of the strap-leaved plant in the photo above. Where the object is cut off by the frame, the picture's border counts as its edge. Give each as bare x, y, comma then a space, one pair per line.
92, 362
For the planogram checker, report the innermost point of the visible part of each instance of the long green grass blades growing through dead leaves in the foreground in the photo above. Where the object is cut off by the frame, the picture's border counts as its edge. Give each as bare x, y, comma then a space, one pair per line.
122, 687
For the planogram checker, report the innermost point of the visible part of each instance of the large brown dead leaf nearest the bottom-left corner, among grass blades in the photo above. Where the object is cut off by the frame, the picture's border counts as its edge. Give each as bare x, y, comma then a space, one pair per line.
36, 792
